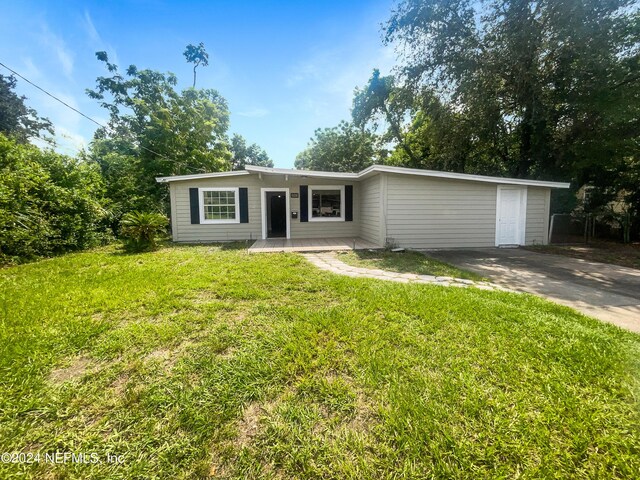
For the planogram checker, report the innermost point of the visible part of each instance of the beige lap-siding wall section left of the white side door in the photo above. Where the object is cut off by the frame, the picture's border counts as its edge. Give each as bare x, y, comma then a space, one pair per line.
427, 212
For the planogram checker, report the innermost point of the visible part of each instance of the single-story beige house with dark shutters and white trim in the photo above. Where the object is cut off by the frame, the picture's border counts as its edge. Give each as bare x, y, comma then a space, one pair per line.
409, 207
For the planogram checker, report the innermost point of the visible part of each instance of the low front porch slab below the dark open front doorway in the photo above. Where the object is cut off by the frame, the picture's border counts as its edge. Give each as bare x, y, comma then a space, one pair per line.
310, 245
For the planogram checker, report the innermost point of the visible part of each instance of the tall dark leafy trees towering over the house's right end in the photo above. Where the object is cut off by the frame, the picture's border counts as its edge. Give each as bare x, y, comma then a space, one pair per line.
548, 88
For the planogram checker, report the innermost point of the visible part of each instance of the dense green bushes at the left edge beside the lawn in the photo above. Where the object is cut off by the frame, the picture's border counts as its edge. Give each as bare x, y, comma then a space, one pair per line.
49, 203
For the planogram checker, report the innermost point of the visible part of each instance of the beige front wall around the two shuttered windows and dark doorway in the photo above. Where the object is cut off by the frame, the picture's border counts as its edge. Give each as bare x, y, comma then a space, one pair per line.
184, 231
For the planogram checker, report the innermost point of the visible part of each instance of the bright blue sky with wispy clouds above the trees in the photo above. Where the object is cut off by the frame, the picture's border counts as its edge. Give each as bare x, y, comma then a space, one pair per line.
286, 68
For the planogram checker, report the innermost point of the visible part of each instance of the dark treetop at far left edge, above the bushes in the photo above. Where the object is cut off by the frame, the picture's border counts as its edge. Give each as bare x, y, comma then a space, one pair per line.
17, 120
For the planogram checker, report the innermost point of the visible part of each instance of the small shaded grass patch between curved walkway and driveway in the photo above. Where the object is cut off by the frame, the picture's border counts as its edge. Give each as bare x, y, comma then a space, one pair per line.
405, 262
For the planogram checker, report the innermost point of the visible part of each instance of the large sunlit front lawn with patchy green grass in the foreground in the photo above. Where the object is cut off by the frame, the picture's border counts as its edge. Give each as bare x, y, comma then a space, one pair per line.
197, 361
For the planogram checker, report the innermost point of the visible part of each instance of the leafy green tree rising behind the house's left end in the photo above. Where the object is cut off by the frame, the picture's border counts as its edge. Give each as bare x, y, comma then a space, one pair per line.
166, 132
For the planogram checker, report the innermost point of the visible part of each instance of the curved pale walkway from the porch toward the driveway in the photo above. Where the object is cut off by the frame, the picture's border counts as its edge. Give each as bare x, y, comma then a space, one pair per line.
330, 262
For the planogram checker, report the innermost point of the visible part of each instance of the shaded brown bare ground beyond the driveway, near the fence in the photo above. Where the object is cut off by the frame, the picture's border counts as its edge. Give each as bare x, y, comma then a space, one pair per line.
605, 252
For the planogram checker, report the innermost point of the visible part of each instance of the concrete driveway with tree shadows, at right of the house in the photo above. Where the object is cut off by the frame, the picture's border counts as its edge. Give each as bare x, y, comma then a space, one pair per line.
607, 292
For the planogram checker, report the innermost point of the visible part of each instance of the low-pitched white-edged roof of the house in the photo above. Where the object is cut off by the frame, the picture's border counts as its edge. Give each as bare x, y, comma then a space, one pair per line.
367, 172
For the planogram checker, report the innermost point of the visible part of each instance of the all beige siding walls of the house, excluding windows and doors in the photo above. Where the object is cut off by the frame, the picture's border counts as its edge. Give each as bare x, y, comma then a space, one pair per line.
416, 212
